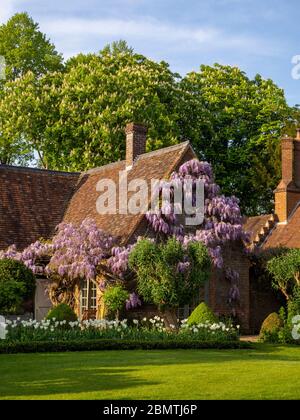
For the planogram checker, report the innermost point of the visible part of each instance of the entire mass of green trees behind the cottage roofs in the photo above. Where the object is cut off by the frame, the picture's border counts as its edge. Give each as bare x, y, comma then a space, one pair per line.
72, 116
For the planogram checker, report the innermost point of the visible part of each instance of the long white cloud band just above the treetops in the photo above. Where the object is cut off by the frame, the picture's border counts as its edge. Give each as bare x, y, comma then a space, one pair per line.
73, 35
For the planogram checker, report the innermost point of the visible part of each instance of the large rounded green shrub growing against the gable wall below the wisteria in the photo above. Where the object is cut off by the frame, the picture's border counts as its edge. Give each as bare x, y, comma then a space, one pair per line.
158, 279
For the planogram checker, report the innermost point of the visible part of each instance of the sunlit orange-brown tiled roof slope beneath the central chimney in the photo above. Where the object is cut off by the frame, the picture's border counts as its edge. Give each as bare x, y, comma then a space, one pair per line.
158, 164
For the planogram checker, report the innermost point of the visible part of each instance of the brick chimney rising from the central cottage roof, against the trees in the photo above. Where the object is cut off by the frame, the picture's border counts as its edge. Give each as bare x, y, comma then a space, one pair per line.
135, 142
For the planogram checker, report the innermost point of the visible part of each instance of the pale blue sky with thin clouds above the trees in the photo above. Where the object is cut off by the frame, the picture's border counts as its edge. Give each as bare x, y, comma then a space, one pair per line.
258, 36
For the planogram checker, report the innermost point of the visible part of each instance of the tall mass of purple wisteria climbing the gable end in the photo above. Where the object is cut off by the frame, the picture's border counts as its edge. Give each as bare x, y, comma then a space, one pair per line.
222, 218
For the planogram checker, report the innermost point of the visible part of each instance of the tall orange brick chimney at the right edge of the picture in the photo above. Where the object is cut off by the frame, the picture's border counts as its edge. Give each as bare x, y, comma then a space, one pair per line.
287, 194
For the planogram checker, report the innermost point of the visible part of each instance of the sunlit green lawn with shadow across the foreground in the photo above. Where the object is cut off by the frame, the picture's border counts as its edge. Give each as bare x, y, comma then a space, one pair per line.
266, 372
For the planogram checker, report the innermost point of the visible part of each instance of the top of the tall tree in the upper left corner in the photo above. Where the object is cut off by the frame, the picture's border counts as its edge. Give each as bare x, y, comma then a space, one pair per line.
25, 48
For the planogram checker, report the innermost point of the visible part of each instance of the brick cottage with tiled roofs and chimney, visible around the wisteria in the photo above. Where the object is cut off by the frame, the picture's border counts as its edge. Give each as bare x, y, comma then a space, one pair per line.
33, 202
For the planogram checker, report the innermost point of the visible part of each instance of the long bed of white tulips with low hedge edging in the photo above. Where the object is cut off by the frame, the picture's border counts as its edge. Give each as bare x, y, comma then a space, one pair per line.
54, 336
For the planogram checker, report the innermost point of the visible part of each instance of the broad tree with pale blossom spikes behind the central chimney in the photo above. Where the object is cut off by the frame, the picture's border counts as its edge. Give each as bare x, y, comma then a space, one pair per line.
78, 117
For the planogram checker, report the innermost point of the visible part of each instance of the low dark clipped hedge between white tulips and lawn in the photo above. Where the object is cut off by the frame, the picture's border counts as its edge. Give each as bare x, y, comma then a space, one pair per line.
92, 345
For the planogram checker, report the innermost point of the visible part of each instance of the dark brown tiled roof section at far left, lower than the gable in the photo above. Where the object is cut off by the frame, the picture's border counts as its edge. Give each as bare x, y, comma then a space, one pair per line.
32, 203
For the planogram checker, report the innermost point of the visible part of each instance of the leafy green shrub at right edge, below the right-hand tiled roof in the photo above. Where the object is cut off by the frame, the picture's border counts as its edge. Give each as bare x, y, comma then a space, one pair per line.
285, 270
